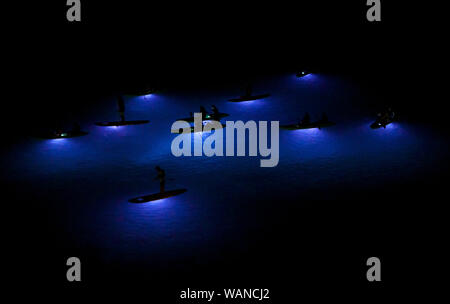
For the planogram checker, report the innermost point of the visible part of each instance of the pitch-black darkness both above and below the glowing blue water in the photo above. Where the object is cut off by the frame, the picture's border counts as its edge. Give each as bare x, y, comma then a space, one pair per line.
176, 44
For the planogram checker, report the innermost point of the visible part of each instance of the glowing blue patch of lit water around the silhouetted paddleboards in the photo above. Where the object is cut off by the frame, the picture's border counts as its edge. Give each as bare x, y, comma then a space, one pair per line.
89, 179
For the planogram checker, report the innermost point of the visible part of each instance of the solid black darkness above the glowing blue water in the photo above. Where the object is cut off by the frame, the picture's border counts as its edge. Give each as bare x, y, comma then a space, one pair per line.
121, 46
